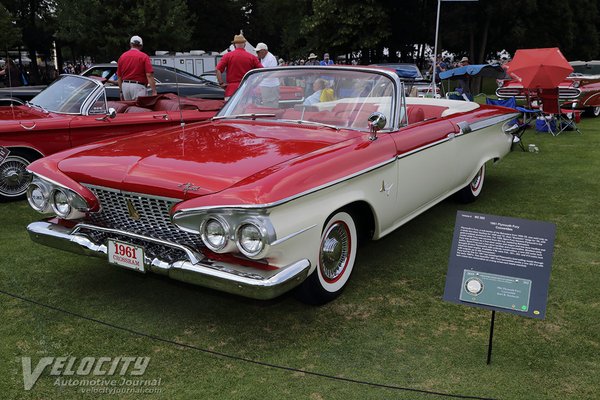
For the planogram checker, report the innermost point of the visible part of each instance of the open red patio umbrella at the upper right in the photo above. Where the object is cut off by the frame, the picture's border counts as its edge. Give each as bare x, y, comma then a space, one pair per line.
539, 68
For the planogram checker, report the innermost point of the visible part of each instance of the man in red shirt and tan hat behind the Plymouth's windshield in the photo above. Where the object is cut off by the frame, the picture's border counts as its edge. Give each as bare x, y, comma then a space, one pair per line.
237, 63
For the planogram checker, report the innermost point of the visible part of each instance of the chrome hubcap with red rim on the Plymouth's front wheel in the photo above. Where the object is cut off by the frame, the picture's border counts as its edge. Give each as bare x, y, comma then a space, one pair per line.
335, 250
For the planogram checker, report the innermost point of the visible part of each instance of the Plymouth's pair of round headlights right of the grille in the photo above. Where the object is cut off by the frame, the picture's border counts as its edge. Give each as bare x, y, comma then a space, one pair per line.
248, 236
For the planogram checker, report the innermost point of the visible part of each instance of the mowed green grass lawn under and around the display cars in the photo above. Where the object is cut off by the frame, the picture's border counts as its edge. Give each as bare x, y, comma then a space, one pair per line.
389, 327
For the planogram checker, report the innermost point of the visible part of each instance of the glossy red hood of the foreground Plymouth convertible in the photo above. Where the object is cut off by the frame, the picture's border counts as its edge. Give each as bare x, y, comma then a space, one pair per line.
195, 160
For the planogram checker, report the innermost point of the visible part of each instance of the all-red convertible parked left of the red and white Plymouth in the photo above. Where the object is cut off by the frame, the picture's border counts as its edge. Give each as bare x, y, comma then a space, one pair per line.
73, 111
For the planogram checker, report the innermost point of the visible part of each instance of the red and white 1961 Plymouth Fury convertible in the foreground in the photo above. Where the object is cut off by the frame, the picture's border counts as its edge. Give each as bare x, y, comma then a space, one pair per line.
263, 200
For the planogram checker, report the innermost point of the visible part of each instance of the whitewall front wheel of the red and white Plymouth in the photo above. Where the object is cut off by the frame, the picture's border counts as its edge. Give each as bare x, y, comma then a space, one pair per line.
337, 253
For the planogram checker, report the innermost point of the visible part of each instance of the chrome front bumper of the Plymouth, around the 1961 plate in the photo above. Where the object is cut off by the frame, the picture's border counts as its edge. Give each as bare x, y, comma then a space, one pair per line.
230, 278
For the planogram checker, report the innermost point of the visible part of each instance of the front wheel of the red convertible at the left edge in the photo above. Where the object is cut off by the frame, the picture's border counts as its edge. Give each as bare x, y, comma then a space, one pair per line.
14, 178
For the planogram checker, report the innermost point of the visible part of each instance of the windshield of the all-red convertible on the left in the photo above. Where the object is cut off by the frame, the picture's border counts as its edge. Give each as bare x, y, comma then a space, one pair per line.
66, 95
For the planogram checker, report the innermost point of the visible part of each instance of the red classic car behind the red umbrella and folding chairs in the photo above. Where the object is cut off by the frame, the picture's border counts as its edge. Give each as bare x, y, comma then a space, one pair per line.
582, 88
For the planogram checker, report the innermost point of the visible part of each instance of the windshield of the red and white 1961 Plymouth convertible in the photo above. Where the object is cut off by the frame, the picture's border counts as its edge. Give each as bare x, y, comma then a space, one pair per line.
336, 97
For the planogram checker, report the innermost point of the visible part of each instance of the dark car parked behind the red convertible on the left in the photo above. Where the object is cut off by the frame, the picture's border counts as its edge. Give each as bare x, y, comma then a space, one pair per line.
168, 80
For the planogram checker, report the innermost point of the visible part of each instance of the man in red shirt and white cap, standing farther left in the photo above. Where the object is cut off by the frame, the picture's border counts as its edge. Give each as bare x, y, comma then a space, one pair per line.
134, 71
